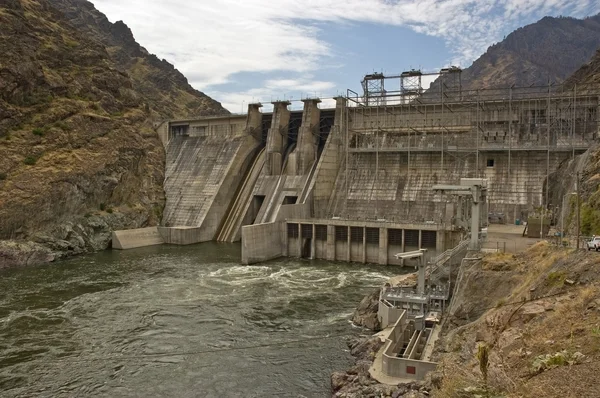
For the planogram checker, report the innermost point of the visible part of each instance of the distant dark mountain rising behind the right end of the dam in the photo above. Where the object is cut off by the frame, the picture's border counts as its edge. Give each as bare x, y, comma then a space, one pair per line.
552, 48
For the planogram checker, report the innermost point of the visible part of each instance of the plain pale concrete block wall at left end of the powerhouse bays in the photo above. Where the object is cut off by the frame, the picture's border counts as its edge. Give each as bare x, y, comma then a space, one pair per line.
263, 242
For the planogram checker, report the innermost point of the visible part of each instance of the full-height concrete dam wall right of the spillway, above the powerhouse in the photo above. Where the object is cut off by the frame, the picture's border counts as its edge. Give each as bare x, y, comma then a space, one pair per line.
396, 156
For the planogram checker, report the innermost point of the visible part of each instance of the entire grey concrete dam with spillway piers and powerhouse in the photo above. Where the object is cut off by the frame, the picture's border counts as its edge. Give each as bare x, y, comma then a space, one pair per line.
355, 183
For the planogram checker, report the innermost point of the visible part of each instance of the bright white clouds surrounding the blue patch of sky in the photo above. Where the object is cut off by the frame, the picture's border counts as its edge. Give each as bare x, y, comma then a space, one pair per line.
209, 42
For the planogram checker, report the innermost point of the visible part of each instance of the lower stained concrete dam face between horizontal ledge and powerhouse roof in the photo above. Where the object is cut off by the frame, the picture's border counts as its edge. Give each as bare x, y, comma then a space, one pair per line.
402, 190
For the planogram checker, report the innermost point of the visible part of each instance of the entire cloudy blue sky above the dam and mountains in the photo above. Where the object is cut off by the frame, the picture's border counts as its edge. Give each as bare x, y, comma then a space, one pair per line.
242, 51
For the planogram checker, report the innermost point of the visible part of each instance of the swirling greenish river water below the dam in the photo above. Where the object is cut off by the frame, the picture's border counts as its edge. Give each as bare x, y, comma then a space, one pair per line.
178, 322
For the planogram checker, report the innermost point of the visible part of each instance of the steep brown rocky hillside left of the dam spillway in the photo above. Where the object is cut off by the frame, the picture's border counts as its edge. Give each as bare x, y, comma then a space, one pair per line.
78, 101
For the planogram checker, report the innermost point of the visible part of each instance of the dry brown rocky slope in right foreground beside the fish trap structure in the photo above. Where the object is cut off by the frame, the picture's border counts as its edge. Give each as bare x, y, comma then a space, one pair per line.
536, 314
